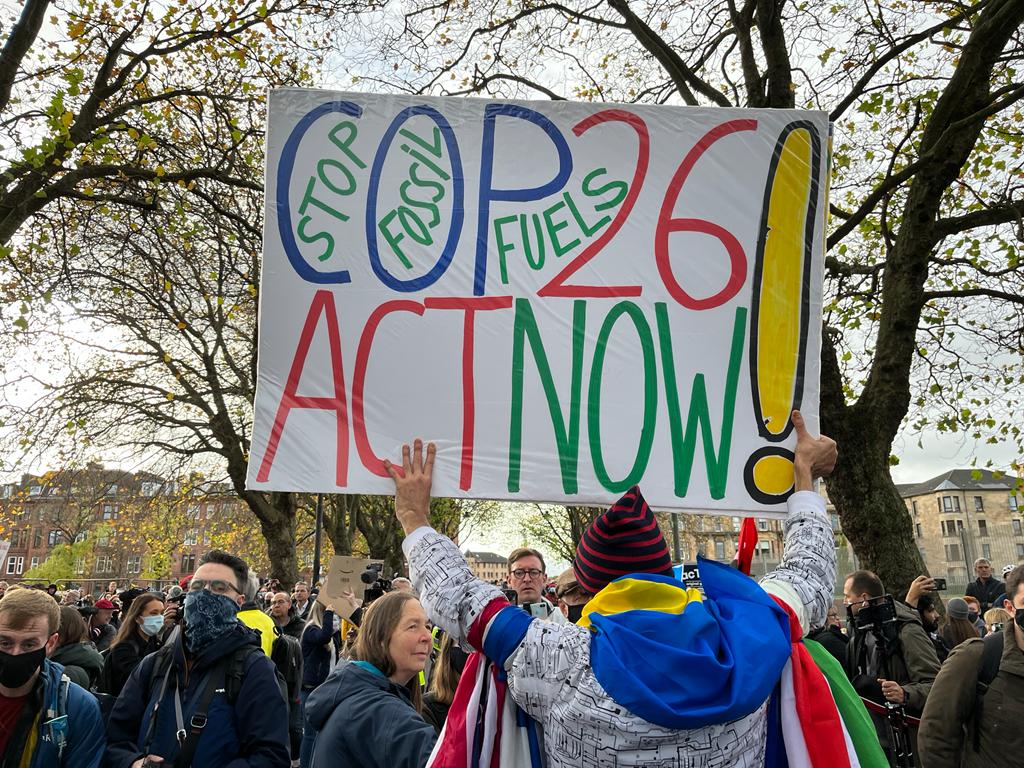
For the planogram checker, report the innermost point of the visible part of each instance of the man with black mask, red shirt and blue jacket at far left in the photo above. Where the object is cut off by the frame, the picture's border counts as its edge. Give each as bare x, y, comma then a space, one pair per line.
50, 723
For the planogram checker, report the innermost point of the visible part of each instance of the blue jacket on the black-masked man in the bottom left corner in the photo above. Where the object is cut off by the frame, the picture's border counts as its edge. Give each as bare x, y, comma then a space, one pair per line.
86, 740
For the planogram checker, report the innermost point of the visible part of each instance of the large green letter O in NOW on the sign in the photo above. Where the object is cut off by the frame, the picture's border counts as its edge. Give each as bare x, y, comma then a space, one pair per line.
650, 398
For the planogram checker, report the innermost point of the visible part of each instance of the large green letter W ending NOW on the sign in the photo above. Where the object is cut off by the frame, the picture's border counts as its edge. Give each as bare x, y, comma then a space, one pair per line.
685, 444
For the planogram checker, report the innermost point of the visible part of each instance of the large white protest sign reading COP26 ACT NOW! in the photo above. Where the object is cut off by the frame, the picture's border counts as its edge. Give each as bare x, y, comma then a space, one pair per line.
568, 298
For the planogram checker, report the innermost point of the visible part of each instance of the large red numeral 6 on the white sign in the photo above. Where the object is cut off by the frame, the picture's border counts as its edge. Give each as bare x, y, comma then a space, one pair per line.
667, 225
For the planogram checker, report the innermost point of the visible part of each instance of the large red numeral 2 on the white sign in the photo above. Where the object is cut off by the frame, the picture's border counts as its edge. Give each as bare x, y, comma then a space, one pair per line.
558, 286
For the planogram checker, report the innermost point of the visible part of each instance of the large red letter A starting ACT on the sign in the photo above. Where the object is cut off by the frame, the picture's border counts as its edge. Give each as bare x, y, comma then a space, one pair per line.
323, 304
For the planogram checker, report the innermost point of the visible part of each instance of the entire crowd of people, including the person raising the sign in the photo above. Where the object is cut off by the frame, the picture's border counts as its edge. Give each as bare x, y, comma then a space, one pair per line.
615, 663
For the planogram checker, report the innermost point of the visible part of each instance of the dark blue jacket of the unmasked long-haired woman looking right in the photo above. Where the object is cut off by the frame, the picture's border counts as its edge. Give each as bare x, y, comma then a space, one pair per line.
364, 720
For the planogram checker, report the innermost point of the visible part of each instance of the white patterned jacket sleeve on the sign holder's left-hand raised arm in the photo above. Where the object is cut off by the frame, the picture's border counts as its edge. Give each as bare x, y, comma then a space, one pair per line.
452, 596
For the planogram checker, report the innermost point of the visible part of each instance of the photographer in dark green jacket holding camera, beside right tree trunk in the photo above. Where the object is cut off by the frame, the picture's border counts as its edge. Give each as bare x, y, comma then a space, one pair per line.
891, 663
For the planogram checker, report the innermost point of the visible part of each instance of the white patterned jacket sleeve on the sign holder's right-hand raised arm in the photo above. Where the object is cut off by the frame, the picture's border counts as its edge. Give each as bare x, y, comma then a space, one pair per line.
806, 578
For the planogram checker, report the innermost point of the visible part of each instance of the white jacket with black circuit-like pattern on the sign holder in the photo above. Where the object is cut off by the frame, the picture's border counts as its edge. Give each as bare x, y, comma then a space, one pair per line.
550, 675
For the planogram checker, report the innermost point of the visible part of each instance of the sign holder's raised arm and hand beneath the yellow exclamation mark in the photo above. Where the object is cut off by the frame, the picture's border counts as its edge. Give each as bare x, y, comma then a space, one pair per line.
806, 578
